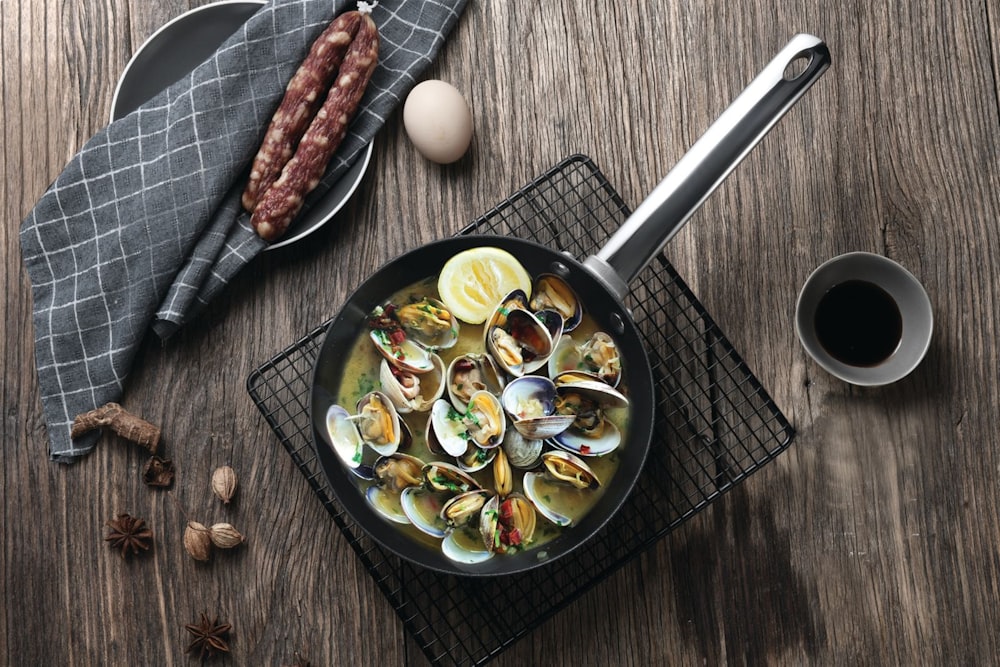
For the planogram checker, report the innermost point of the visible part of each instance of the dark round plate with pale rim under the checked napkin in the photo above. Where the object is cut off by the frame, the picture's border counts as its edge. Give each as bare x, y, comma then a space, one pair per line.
176, 49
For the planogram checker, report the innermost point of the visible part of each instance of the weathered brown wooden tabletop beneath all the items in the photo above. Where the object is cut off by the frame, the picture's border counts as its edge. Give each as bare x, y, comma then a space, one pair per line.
872, 540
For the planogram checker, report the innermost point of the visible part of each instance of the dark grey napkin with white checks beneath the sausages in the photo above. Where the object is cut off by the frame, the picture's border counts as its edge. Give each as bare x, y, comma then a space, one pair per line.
143, 227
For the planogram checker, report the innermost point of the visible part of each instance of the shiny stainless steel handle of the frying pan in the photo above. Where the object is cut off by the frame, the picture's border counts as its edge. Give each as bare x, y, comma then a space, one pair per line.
709, 161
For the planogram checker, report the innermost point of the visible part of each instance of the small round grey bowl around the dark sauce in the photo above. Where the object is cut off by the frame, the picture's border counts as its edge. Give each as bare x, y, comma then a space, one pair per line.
909, 295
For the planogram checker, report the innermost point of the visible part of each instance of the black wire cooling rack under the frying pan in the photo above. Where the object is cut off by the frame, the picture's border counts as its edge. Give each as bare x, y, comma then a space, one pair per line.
715, 426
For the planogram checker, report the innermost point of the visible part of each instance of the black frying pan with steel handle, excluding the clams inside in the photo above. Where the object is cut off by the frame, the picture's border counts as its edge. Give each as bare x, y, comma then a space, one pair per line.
601, 282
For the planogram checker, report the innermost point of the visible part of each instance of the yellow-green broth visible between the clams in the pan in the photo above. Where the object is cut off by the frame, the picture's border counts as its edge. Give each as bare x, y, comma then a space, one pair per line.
361, 375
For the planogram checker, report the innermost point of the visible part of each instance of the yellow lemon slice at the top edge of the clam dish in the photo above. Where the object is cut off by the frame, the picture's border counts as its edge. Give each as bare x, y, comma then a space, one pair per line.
473, 282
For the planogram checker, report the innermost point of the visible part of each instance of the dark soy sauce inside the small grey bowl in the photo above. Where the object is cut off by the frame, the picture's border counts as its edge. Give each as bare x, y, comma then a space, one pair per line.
858, 323
